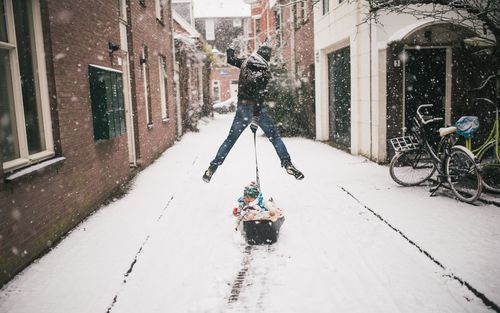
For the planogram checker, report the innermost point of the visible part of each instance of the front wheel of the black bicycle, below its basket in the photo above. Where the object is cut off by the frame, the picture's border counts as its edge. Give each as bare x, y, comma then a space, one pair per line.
411, 167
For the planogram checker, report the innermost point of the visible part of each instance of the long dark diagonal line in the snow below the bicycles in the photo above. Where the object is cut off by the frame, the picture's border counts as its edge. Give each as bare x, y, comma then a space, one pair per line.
489, 303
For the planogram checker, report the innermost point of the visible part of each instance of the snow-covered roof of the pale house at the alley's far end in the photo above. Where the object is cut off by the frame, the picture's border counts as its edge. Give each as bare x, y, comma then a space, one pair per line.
221, 8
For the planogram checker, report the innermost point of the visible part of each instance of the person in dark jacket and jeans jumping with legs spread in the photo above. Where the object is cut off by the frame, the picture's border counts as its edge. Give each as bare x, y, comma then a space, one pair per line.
254, 76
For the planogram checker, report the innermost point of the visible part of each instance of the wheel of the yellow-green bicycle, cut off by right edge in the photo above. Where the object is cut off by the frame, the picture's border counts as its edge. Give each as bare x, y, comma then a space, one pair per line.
490, 167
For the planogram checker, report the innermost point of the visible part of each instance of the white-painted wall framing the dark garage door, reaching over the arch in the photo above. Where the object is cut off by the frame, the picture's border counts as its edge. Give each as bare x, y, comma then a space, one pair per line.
343, 26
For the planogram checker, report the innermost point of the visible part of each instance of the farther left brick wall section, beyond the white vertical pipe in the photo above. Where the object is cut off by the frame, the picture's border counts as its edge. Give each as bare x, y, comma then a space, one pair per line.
148, 31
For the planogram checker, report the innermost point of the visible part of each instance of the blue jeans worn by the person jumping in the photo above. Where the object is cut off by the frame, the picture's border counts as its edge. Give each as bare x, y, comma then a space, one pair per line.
242, 119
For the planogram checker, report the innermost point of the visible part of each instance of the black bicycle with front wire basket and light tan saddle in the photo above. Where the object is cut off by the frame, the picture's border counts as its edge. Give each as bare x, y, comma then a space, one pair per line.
417, 159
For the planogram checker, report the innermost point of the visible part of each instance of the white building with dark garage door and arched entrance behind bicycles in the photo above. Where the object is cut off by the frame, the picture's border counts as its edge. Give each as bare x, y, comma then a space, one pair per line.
370, 78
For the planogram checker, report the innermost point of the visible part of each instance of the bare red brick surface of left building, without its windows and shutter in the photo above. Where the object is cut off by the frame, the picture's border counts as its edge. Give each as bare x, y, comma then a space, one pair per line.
37, 209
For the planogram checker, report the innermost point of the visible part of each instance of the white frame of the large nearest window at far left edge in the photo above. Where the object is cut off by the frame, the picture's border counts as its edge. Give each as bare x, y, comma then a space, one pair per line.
25, 159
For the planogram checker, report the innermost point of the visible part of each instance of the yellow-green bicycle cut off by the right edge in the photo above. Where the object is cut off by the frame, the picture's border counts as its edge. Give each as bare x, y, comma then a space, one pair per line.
488, 154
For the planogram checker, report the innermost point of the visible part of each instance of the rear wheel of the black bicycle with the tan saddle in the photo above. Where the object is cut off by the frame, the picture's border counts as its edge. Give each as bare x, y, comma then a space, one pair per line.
463, 174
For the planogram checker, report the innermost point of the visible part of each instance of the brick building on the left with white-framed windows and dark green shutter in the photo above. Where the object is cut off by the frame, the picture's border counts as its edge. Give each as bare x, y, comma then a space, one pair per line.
84, 99
